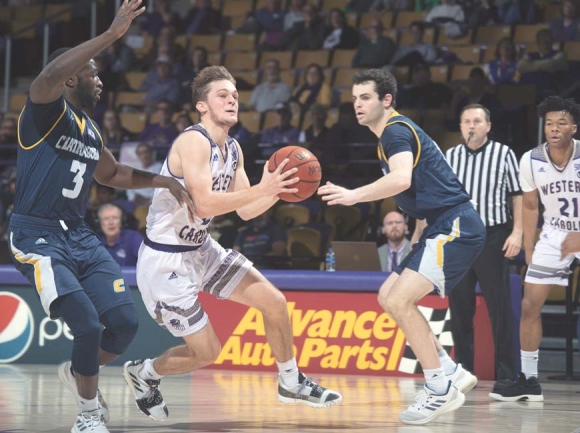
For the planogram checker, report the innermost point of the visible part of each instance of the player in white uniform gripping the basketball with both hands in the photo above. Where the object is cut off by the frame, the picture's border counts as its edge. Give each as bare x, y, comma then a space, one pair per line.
178, 258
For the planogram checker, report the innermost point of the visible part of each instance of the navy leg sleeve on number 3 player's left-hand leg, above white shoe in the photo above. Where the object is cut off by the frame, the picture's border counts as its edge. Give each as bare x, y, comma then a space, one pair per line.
79, 313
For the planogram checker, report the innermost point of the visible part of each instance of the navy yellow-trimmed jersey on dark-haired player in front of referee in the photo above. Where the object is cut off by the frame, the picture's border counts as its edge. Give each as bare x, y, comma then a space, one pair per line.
434, 187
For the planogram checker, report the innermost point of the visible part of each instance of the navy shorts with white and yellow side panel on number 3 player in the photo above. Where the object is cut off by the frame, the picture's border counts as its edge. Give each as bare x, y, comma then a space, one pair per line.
58, 260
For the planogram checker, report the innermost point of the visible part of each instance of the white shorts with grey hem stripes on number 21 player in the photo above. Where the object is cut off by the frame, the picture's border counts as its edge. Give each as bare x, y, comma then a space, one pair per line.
547, 267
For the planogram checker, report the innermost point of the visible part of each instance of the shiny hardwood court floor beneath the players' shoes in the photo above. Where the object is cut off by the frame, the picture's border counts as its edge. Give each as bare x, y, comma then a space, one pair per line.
33, 400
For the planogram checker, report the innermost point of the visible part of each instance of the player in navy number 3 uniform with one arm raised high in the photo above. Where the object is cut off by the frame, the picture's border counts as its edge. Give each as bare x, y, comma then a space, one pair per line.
60, 151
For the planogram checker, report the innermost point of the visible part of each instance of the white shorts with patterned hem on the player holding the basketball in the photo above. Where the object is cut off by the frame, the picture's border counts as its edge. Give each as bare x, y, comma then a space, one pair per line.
170, 282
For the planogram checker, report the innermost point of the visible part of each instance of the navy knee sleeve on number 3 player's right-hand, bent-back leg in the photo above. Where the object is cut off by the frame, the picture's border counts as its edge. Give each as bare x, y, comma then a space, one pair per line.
121, 325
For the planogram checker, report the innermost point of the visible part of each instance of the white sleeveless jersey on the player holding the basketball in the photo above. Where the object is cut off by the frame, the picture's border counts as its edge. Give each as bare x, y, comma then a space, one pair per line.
168, 222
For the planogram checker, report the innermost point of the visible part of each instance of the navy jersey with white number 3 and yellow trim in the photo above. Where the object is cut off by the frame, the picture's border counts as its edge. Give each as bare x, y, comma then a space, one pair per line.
59, 148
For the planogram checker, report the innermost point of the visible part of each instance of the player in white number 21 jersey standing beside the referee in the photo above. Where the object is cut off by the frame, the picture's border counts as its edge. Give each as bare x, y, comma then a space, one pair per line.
552, 170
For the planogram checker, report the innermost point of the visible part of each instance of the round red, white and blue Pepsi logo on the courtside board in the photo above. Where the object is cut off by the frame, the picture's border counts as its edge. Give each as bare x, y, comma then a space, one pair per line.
16, 327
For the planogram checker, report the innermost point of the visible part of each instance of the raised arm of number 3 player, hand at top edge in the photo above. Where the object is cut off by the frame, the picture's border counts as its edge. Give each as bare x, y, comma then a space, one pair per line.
49, 84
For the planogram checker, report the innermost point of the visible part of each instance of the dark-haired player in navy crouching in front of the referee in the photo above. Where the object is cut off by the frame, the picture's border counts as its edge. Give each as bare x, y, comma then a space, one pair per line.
424, 187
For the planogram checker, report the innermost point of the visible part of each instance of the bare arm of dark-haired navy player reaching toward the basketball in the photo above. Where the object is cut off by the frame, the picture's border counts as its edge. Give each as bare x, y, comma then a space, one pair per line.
396, 181
